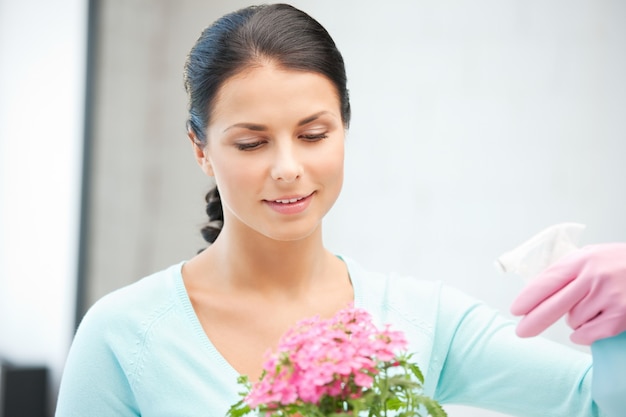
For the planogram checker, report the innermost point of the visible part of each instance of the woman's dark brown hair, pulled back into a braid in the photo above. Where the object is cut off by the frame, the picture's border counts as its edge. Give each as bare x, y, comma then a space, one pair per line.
277, 33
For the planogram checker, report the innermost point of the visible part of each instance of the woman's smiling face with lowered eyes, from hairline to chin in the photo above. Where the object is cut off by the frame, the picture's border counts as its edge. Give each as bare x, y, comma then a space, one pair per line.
275, 146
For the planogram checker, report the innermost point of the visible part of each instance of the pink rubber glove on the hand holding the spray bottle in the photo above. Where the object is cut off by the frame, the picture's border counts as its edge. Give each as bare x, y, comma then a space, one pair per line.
589, 285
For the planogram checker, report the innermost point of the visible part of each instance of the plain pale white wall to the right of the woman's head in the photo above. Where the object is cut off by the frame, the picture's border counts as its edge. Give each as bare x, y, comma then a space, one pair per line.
475, 125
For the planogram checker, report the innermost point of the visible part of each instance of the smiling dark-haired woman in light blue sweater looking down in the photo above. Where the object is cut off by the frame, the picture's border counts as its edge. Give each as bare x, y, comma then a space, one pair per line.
268, 111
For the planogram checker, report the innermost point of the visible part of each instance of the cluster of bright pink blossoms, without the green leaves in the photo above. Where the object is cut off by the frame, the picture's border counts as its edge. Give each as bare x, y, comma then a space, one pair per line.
337, 357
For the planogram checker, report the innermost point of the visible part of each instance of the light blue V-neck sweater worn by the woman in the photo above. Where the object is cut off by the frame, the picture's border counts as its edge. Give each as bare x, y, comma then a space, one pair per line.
141, 351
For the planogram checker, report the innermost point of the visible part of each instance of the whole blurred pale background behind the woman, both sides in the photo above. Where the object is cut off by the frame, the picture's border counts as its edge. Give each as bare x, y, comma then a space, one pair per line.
475, 125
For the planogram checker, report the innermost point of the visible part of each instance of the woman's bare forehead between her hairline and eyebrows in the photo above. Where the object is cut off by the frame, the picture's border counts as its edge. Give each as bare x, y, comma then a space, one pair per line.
267, 92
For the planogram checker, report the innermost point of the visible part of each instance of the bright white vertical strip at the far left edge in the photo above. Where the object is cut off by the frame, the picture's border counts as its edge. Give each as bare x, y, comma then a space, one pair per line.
42, 67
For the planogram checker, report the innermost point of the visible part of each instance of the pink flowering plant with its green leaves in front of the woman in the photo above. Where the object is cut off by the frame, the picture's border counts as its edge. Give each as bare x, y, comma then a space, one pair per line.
337, 367
